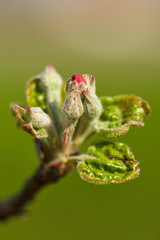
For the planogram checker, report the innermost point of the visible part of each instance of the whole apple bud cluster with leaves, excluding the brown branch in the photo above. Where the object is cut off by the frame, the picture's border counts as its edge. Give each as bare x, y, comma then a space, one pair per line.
62, 116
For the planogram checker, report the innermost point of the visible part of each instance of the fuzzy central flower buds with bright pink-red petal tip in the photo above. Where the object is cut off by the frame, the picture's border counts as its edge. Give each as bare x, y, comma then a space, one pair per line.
81, 97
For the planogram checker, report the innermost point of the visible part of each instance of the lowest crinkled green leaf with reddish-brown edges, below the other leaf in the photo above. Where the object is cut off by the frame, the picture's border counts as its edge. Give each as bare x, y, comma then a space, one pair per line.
108, 162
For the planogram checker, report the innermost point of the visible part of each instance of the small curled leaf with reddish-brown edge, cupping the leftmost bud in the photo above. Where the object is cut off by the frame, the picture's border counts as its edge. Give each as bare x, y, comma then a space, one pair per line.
20, 114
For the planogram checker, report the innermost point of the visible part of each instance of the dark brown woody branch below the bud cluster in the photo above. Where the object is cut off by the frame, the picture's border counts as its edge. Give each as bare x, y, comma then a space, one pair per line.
43, 176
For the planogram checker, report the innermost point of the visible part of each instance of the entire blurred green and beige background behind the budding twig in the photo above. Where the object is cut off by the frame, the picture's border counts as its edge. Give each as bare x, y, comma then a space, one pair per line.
117, 42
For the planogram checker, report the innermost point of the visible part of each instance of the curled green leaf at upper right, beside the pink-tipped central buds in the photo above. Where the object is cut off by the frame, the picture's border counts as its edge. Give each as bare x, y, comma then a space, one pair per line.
119, 113
